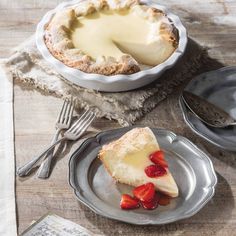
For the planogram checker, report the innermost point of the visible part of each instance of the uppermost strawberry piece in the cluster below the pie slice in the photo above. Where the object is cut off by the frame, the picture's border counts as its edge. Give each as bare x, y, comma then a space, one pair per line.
145, 192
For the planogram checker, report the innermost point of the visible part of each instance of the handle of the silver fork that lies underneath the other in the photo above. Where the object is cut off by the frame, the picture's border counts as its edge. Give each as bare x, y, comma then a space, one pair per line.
44, 169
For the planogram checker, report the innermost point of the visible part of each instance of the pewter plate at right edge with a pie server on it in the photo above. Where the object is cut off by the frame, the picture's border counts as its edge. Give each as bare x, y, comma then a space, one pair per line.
219, 88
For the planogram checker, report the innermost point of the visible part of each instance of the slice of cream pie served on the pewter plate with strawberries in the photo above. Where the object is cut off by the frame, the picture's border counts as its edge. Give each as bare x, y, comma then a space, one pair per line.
128, 158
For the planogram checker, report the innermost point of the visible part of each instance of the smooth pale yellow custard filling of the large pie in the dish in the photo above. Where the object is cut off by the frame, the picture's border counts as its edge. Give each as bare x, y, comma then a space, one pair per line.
112, 33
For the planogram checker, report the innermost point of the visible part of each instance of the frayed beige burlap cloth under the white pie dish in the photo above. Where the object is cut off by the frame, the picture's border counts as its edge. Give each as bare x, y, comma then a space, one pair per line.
28, 67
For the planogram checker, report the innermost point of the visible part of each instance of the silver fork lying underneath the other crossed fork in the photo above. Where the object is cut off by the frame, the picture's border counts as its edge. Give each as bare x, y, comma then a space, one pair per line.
63, 122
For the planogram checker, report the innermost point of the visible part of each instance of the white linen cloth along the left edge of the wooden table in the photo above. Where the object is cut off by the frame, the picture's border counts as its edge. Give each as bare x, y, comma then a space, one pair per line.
7, 161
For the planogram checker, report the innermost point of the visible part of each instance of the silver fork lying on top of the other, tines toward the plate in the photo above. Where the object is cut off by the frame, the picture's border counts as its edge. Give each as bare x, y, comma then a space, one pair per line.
76, 130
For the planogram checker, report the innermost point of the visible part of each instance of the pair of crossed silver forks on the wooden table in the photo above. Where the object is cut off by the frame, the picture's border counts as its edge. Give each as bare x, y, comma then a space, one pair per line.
63, 122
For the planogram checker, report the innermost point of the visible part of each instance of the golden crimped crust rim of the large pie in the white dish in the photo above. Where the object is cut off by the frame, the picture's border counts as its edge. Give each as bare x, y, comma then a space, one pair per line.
58, 41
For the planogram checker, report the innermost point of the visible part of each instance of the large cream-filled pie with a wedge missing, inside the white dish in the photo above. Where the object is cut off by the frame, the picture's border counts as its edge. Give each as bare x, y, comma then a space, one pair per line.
110, 37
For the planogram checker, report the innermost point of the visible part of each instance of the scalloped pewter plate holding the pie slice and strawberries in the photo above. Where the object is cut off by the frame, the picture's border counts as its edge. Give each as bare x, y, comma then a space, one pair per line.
191, 168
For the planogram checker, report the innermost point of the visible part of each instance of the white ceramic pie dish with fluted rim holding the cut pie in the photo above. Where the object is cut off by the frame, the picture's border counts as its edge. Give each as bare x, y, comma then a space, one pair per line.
113, 83
